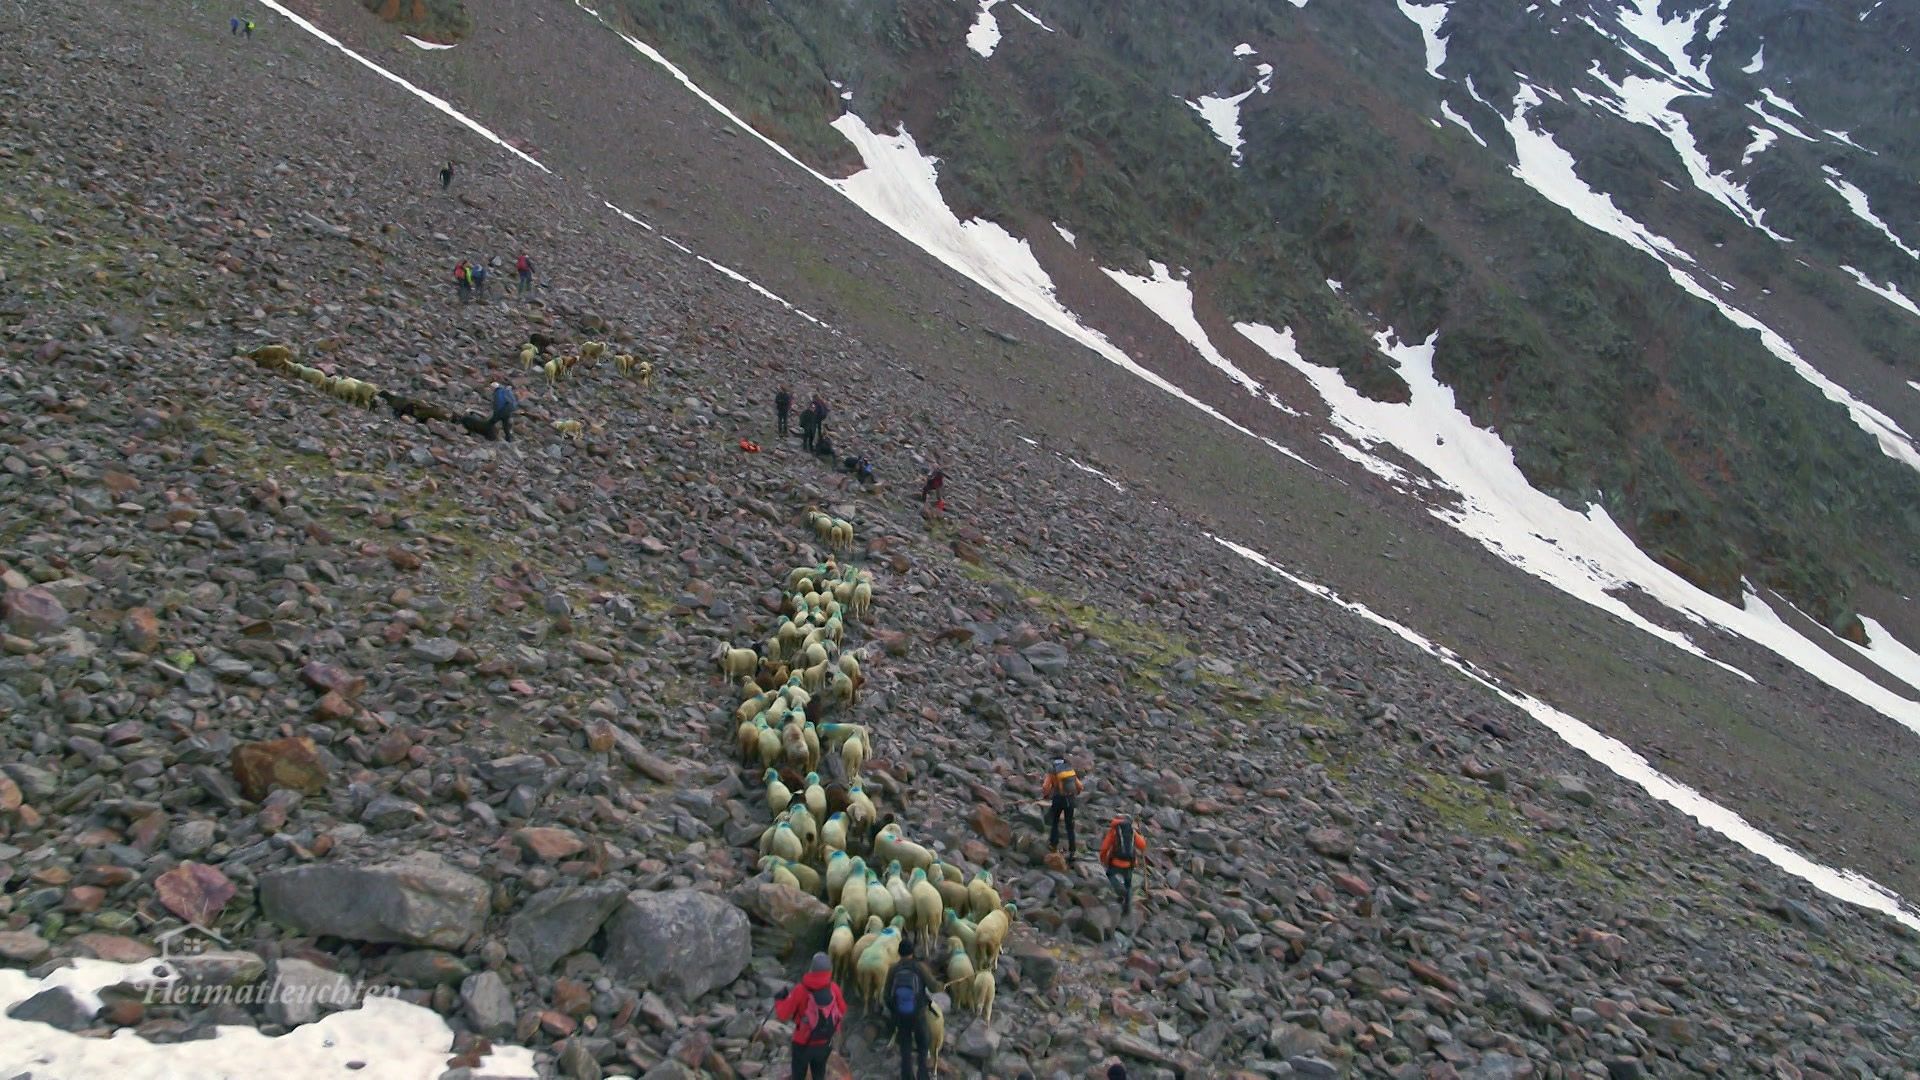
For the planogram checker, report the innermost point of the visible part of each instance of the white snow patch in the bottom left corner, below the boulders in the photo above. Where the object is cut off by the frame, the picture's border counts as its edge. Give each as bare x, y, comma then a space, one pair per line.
383, 1039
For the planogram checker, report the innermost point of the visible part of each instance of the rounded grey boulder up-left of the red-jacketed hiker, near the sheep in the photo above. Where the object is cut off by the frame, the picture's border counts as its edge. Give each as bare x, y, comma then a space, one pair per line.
681, 941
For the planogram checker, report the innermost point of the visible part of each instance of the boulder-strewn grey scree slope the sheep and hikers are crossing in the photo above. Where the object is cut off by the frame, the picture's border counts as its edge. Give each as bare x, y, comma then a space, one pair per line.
502, 656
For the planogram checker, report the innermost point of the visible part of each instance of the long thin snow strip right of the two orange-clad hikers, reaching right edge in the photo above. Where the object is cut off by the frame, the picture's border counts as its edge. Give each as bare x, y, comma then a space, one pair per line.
1627, 764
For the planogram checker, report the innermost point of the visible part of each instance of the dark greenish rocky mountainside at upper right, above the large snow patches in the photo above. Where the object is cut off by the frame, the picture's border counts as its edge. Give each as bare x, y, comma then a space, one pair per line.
1610, 383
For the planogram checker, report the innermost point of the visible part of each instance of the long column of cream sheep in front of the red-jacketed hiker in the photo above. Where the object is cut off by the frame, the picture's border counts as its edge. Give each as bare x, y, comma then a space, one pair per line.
825, 837
